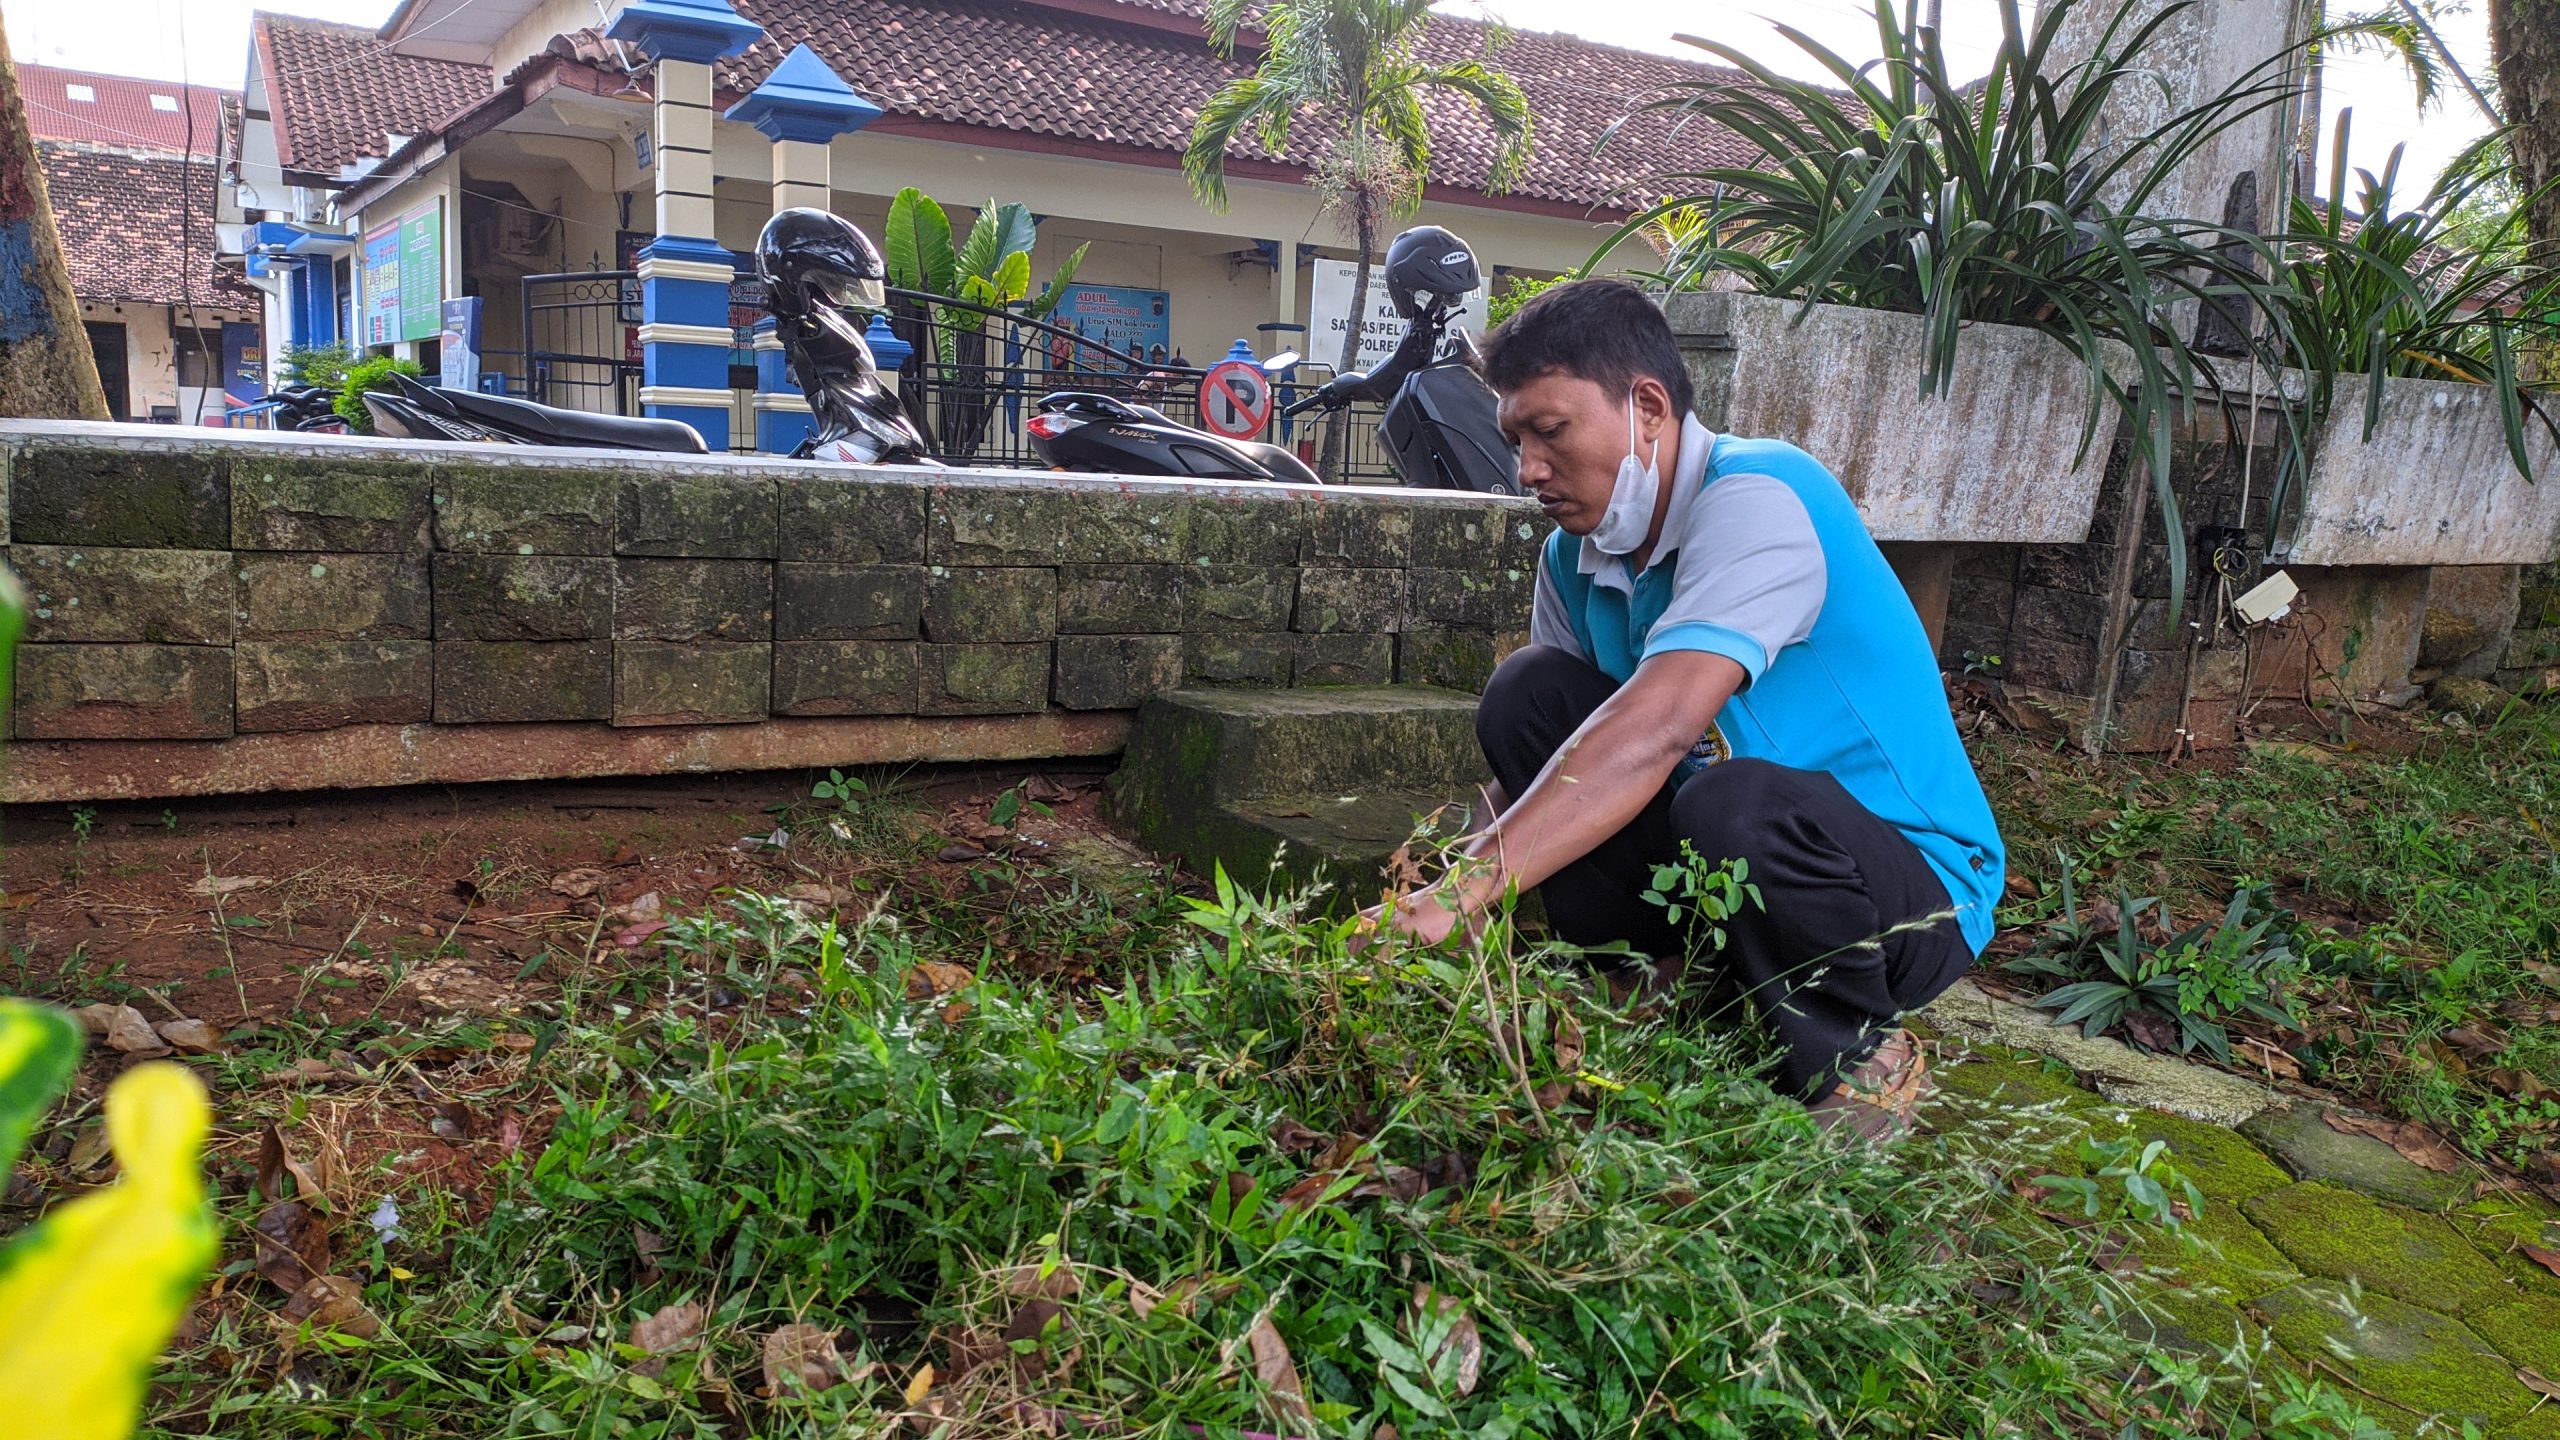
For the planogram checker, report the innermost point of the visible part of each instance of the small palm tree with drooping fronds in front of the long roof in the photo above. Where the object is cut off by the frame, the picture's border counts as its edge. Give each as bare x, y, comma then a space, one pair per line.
1353, 65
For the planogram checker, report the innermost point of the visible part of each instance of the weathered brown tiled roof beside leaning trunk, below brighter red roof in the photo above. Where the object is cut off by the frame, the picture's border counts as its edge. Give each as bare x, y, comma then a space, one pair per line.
119, 222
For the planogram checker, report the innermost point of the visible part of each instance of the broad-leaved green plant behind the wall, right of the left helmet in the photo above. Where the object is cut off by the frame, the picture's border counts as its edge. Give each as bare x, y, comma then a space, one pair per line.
987, 270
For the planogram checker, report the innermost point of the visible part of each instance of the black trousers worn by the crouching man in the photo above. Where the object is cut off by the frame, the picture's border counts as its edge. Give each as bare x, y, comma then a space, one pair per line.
1829, 872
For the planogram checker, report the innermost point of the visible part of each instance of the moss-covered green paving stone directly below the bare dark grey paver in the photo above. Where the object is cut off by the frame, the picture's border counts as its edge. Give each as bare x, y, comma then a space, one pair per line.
2395, 1252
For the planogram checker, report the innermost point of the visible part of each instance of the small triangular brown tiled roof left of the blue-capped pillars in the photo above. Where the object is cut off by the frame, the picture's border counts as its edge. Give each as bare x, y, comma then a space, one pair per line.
337, 91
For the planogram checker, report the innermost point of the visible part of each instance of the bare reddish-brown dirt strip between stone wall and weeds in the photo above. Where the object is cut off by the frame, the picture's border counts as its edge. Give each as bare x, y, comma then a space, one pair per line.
467, 901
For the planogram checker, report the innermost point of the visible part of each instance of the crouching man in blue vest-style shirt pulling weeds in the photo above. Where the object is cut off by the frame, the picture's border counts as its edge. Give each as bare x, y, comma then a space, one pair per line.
1722, 657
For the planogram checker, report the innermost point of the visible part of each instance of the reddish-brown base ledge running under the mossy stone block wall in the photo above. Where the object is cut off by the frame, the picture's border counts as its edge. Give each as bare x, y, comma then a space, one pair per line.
365, 757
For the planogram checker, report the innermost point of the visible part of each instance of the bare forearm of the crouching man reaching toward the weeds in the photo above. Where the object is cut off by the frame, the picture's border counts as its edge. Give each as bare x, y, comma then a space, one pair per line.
1604, 775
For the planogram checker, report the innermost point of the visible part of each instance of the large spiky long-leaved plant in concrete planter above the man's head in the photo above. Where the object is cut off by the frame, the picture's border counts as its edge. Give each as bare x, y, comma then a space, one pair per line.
1906, 186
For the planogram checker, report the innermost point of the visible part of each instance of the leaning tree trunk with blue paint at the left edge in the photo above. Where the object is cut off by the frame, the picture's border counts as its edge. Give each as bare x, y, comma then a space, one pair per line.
45, 357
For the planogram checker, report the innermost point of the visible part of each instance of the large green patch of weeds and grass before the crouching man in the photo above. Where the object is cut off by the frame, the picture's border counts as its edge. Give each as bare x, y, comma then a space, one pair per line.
1261, 1185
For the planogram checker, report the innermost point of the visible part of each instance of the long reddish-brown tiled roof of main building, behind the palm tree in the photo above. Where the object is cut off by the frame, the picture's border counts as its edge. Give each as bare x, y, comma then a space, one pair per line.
1082, 76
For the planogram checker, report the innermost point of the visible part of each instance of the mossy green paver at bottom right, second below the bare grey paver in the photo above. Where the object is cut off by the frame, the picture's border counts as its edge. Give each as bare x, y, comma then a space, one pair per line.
2400, 1354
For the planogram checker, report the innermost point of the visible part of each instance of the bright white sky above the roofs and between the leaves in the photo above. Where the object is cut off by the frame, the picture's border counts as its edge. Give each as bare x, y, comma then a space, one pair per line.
209, 42
